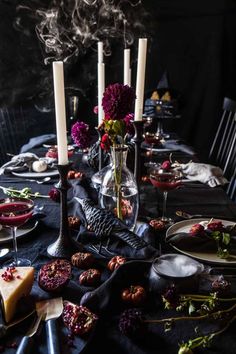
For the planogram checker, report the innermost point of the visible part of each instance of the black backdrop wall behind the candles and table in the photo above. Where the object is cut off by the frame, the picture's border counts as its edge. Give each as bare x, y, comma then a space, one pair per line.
194, 42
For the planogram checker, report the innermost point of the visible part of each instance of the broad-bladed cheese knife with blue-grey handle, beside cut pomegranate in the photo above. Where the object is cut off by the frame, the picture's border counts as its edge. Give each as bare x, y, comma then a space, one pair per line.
52, 309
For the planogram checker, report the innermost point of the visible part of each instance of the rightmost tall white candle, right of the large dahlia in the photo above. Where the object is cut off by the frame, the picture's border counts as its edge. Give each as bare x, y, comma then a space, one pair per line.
140, 80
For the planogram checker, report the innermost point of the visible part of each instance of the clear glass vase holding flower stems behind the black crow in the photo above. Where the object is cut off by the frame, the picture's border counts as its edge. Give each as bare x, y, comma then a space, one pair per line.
119, 192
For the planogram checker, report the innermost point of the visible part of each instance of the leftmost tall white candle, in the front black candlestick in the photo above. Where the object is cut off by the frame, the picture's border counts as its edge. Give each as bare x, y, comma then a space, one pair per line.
60, 109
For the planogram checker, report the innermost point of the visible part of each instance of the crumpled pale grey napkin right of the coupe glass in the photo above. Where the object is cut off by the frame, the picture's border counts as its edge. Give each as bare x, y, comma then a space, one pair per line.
204, 173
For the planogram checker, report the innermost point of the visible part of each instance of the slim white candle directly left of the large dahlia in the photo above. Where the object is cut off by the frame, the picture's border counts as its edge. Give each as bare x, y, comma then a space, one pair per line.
101, 82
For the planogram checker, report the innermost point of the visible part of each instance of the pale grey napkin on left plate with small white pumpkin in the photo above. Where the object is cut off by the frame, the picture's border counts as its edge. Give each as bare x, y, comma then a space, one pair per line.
23, 163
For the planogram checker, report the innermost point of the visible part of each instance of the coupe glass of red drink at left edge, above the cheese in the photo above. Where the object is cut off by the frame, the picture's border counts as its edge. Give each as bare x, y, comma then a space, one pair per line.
14, 212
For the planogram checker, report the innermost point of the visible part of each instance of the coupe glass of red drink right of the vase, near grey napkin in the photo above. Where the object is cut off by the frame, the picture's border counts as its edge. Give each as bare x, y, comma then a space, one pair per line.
165, 180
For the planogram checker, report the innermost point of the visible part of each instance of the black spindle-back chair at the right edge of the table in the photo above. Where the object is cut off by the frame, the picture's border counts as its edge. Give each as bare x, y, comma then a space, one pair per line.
223, 149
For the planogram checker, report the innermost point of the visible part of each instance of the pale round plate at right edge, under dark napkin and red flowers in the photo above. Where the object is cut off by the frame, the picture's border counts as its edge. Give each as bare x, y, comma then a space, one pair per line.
209, 257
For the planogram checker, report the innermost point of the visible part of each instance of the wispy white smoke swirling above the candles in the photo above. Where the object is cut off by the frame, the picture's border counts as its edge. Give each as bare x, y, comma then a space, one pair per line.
68, 28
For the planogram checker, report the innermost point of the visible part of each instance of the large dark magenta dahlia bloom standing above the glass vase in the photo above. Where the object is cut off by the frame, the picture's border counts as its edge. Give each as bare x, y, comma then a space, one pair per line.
118, 100
